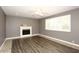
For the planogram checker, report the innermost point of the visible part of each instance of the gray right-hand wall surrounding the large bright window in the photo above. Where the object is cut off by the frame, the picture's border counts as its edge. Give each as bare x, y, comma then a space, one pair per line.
67, 36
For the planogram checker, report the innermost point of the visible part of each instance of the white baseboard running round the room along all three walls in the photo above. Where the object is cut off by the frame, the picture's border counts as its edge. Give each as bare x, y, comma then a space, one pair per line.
66, 43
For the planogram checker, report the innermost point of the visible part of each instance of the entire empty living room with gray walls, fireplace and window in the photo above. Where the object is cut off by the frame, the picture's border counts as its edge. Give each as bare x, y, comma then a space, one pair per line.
45, 29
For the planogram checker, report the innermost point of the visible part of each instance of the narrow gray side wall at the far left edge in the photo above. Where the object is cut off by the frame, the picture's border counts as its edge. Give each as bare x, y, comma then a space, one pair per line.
2, 26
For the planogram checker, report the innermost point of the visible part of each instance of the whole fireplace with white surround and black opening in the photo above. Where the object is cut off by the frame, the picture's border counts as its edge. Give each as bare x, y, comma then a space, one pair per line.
25, 31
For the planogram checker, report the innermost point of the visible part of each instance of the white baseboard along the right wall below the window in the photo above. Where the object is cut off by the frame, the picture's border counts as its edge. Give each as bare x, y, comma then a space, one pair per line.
66, 43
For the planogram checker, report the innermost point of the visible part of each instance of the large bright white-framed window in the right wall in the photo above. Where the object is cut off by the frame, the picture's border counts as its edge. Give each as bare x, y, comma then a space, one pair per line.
62, 23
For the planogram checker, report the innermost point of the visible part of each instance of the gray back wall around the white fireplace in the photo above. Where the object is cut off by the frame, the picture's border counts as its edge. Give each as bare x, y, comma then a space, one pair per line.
13, 25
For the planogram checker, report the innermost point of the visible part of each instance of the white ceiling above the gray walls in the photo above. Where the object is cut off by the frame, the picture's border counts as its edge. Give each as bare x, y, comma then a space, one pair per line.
35, 12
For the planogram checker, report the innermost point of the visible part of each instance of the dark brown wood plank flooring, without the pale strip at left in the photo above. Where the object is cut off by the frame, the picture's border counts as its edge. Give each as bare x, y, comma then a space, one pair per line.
39, 45
